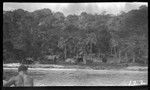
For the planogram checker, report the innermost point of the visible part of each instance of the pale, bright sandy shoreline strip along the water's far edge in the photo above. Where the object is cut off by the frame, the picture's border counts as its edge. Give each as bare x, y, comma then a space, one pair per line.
75, 67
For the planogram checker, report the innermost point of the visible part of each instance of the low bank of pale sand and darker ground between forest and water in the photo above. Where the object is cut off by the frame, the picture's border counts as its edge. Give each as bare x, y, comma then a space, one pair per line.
89, 67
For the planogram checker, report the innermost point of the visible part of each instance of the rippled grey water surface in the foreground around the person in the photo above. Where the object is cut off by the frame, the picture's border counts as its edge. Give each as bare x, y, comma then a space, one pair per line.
83, 77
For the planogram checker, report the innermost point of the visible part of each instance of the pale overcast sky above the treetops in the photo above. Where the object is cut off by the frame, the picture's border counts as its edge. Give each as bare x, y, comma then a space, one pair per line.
77, 8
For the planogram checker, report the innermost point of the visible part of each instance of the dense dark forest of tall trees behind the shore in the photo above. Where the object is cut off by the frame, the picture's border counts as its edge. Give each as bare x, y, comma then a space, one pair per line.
43, 32
